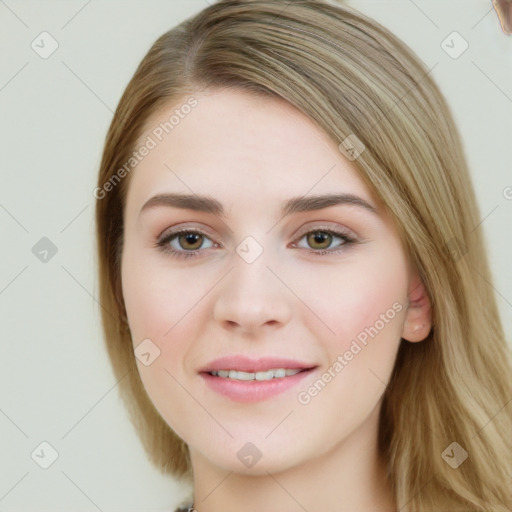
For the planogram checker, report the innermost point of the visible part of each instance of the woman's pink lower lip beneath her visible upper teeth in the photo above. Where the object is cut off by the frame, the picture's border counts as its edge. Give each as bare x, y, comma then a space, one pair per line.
253, 390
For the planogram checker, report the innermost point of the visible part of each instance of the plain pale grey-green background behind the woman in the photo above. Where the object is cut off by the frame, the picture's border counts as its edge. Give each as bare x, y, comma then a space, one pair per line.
57, 385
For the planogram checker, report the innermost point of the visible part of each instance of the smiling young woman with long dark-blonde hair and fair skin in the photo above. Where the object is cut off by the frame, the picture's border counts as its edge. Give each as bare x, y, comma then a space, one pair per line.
255, 131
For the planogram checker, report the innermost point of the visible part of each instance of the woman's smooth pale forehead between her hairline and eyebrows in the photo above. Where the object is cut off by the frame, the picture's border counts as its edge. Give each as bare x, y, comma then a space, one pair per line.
233, 144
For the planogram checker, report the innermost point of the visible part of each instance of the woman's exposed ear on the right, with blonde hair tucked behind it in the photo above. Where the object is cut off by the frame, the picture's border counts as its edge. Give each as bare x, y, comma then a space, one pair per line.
418, 320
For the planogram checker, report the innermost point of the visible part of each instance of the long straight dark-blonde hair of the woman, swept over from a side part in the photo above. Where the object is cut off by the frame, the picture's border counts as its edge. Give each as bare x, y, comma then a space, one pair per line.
352, 77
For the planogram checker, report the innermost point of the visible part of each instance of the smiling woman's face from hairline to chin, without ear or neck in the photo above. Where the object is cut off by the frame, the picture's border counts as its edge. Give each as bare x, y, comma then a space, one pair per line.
264, 278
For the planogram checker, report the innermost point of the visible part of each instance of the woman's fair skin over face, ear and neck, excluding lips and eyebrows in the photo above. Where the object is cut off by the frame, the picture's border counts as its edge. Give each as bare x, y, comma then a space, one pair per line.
251, 154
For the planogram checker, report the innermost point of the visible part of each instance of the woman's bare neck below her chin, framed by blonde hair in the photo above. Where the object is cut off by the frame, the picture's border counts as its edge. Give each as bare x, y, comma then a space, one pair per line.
349, 477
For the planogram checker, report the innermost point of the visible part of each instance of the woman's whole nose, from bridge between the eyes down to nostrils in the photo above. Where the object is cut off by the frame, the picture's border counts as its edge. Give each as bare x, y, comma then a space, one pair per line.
251, 295
